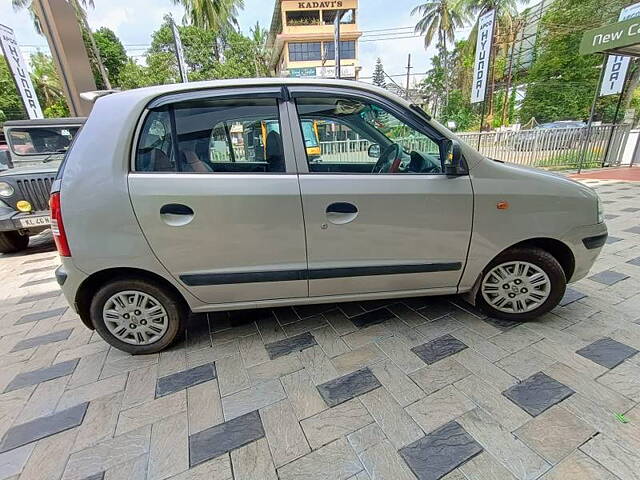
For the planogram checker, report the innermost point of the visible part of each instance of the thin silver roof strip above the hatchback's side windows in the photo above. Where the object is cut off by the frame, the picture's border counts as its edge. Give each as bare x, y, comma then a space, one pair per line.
149, 93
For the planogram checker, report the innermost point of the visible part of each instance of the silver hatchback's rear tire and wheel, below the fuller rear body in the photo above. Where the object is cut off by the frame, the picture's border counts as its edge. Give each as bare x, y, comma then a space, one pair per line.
172, 323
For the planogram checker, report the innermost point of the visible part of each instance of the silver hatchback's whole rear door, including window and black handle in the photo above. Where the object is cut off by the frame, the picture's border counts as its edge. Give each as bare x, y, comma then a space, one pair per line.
217, 197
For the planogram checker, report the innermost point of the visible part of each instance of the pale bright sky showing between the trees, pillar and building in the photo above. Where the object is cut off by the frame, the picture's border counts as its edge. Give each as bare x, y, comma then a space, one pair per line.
133, 21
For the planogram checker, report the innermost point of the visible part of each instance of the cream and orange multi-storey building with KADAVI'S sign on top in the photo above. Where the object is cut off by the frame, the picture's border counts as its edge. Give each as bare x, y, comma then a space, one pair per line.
301, 38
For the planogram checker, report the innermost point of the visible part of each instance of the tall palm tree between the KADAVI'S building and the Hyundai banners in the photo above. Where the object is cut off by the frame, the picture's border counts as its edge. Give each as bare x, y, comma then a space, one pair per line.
441, 17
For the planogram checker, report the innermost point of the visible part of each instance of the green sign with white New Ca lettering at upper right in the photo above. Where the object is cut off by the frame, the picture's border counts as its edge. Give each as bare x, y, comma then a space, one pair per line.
622, 37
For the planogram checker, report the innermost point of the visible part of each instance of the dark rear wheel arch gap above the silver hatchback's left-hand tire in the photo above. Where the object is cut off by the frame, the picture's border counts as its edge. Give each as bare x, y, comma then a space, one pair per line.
96, 280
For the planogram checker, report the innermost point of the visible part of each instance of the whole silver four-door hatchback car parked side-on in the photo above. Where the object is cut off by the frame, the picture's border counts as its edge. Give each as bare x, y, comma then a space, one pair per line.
269, 192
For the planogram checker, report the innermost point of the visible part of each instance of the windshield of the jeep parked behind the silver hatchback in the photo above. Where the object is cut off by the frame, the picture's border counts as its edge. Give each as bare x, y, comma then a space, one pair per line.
26, 141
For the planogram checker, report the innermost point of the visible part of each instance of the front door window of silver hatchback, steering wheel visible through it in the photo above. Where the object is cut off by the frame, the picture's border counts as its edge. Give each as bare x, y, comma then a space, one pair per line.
343, 135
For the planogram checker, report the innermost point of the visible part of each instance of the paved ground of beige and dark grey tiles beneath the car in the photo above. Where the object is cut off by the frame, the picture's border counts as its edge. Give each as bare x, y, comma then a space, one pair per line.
403, 389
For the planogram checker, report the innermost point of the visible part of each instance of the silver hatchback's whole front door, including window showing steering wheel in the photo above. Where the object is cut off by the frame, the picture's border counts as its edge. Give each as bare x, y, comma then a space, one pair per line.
380, 215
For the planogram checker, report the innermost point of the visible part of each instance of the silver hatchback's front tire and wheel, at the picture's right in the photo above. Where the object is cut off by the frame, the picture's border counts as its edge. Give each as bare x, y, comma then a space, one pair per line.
535, 303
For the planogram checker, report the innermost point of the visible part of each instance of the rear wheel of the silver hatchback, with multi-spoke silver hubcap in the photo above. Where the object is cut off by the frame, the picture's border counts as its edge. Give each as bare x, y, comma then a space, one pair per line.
137, 316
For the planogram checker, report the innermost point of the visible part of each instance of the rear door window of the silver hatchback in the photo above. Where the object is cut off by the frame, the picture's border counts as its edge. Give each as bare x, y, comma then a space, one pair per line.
231, 135
